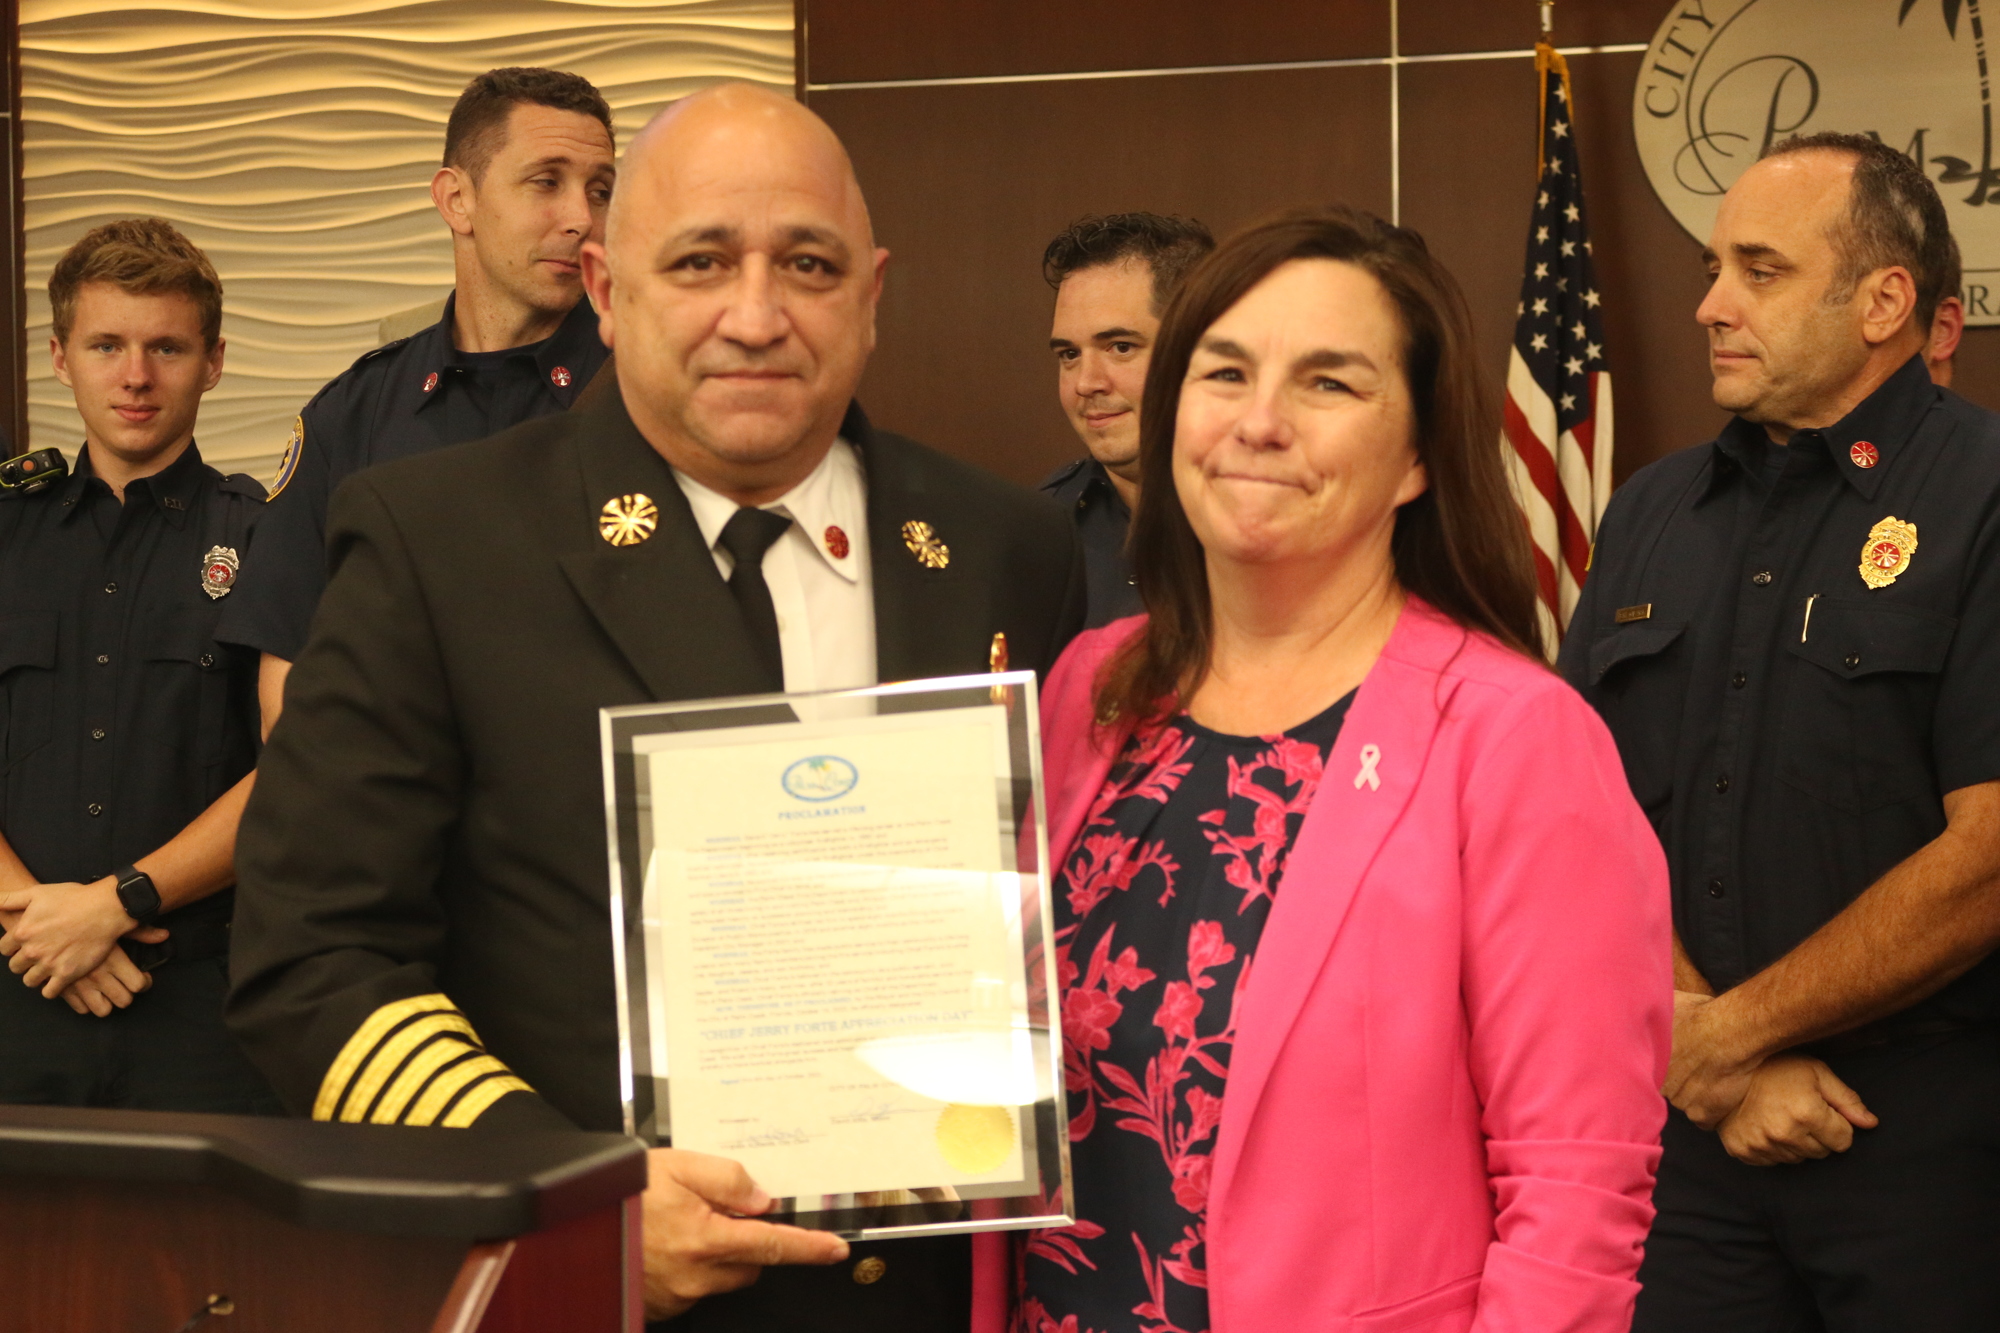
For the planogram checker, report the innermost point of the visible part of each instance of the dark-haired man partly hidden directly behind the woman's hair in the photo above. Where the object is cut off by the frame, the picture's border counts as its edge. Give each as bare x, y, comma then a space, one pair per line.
1113, 281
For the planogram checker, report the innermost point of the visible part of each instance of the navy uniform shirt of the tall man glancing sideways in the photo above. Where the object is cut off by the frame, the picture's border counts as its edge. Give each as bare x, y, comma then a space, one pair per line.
401, 399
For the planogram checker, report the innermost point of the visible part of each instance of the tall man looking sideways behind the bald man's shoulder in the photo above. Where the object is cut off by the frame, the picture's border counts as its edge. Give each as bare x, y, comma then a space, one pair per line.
527, 177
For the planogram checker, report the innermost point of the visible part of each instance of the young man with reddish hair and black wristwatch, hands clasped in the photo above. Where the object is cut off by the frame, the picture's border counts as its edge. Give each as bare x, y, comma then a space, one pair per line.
127, 730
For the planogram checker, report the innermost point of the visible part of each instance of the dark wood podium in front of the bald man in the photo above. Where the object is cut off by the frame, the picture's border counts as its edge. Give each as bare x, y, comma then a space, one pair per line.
131, 1222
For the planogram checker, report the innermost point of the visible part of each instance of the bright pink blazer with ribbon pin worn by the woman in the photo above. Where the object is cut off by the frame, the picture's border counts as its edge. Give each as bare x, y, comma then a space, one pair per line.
1443, 1106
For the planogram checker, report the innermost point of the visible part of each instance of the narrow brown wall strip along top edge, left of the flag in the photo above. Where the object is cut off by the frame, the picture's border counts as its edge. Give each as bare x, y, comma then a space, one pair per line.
851, 41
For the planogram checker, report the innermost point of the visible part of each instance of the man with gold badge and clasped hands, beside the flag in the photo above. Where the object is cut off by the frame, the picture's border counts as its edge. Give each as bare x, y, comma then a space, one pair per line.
1795, 635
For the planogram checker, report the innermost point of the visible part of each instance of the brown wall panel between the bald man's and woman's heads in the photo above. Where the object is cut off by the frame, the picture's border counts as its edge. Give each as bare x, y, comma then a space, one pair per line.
969, 185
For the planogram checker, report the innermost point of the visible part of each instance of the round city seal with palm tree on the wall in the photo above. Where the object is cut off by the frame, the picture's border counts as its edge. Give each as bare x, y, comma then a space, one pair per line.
1727, 79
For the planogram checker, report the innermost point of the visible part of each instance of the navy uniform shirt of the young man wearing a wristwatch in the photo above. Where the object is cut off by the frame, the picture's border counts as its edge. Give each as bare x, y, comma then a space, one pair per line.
121, 716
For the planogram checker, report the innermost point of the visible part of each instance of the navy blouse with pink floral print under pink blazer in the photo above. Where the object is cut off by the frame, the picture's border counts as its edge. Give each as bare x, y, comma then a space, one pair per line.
1159, 914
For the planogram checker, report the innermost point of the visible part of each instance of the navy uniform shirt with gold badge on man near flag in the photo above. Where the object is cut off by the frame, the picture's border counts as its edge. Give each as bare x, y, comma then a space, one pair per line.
1789, 724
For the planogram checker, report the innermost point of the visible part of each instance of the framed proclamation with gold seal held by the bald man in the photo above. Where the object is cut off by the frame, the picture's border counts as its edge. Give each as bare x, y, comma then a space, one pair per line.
829, 928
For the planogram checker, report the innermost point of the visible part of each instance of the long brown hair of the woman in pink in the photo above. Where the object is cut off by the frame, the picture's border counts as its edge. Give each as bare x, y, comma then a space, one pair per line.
1461, 545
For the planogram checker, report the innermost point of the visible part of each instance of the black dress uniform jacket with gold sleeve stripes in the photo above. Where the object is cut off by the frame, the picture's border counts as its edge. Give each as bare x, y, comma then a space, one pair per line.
423, 924
